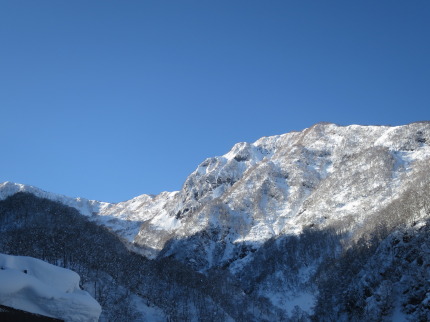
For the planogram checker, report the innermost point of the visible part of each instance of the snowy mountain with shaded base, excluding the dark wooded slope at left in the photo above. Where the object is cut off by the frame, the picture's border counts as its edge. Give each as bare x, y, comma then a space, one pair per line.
283, 223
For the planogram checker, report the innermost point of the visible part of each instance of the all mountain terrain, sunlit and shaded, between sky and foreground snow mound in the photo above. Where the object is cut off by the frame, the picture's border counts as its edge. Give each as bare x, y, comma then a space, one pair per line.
330, 223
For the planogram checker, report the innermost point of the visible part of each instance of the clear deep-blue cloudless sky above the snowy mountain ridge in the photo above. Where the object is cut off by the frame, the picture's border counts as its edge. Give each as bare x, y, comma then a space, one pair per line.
111, 99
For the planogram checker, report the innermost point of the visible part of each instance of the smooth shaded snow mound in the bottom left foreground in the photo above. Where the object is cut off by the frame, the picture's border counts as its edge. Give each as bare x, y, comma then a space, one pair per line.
32, 285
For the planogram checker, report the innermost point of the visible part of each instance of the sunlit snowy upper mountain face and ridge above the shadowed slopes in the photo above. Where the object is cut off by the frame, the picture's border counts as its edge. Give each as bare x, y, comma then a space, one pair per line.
322, 176
